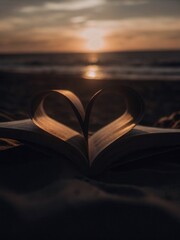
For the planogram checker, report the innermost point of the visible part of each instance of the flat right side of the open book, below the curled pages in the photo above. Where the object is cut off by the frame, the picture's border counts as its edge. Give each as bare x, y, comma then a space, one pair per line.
138, 143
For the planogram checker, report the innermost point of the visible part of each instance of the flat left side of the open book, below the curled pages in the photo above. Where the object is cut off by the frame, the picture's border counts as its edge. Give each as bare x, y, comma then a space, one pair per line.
27, 132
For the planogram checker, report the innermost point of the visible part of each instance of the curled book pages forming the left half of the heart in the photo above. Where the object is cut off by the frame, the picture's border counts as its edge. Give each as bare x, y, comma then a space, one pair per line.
55, 128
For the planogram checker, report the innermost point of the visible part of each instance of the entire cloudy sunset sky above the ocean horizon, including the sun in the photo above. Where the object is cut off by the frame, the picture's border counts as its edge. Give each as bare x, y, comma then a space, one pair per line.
88, 25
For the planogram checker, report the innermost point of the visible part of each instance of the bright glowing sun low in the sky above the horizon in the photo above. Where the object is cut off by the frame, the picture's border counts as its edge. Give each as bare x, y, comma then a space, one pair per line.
94, 39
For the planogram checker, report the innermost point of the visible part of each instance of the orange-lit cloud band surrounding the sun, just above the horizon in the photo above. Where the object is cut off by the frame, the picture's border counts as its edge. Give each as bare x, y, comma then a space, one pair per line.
124, 34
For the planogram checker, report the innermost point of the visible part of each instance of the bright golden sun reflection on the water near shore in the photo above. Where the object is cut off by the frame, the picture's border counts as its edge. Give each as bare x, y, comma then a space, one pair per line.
92, 72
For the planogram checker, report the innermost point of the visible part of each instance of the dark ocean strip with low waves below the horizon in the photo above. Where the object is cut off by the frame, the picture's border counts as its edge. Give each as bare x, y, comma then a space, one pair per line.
144, 65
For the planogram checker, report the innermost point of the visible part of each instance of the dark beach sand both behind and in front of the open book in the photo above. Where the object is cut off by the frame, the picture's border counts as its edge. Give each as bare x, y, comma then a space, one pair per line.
46, 197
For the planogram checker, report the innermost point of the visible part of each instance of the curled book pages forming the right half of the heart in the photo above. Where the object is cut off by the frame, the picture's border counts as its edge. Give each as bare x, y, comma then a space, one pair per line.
119, 127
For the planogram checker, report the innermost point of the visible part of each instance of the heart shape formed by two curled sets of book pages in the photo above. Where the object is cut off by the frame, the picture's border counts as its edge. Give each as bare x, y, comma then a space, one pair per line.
99, 140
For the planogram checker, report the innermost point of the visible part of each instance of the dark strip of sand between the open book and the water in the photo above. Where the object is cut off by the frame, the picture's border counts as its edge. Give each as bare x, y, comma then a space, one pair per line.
161, 98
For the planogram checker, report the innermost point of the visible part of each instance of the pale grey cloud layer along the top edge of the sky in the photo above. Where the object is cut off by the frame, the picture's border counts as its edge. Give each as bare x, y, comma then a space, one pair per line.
94, 9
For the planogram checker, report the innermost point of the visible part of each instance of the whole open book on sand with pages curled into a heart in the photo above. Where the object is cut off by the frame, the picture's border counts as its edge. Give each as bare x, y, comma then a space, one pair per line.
120, 141
